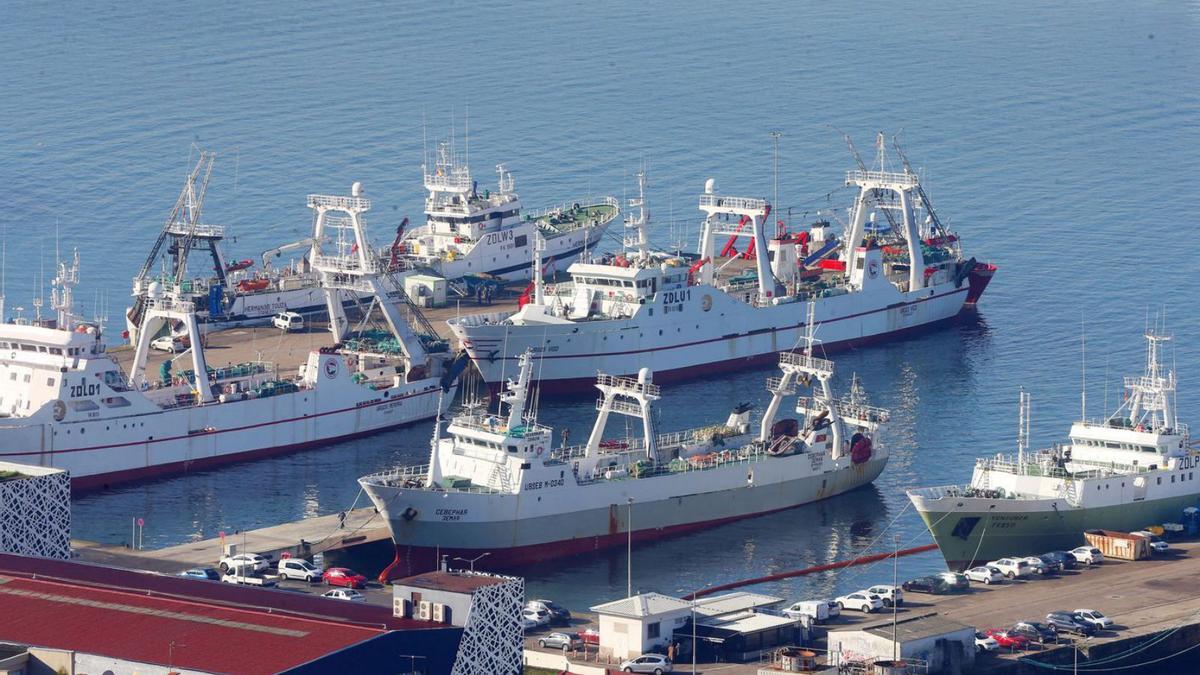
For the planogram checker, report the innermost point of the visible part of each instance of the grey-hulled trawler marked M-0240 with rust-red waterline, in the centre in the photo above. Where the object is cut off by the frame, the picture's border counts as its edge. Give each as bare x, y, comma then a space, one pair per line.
499, 486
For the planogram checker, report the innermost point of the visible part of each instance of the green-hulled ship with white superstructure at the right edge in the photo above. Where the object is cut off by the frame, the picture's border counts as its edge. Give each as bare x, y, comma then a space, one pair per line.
1131, 470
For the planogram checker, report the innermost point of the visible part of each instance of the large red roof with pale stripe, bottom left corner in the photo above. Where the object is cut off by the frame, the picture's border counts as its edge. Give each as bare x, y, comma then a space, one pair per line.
136, 628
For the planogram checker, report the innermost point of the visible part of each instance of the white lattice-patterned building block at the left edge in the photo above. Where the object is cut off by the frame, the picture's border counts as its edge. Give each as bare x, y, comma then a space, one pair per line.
35, 511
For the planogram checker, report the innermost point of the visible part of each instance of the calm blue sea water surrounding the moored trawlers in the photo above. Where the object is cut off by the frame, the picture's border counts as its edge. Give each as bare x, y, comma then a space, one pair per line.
1060, 140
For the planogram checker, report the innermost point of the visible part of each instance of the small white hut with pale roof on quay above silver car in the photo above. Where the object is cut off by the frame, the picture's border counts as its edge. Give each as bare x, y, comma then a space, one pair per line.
641, 624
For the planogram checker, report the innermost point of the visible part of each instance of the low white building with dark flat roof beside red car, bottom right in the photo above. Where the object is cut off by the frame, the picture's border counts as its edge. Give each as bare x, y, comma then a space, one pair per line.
945, 646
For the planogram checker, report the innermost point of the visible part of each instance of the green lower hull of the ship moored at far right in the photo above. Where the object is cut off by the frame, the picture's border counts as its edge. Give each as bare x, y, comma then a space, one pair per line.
983, 530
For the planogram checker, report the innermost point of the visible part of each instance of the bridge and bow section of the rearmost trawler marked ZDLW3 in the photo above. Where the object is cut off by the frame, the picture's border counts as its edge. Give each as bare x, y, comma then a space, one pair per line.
485, 234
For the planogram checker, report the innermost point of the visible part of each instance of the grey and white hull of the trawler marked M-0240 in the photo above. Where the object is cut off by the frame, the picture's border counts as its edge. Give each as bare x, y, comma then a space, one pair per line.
518, 531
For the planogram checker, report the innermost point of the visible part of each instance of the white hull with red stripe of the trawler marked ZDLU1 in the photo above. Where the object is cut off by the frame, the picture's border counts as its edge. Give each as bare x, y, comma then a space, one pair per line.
727, 337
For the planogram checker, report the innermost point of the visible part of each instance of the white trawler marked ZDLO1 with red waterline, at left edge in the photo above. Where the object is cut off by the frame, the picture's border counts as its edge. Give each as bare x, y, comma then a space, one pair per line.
65, 403
